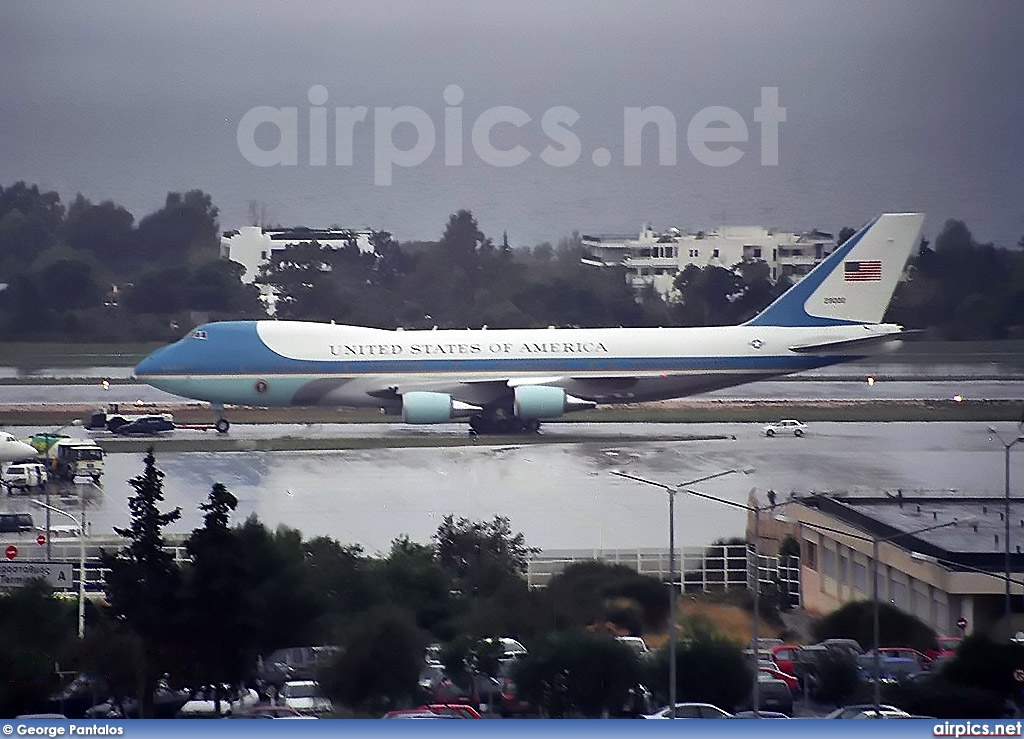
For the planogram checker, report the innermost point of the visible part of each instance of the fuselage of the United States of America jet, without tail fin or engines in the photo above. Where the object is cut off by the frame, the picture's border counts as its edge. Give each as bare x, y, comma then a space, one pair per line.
306, 364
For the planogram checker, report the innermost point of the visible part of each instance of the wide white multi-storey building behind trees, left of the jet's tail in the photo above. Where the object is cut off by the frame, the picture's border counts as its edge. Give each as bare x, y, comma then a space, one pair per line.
654, 258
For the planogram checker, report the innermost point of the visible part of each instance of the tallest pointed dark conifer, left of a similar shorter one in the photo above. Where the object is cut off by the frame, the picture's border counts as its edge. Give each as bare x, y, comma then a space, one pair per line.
143, 581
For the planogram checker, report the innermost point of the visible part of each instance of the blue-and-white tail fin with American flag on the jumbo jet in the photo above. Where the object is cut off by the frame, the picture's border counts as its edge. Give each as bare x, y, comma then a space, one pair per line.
856, 283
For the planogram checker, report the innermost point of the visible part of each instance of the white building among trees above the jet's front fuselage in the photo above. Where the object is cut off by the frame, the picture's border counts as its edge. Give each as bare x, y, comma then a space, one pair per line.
252, 246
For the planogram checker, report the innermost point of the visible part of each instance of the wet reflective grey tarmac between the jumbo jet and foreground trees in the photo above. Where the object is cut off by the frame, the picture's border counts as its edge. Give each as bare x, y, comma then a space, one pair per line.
560, 496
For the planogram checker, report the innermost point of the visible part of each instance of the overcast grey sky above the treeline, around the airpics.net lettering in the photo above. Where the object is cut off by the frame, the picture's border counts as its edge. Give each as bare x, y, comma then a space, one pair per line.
914, 106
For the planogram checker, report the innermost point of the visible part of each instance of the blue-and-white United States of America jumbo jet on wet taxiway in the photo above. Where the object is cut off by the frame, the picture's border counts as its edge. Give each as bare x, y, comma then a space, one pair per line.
510, 380
